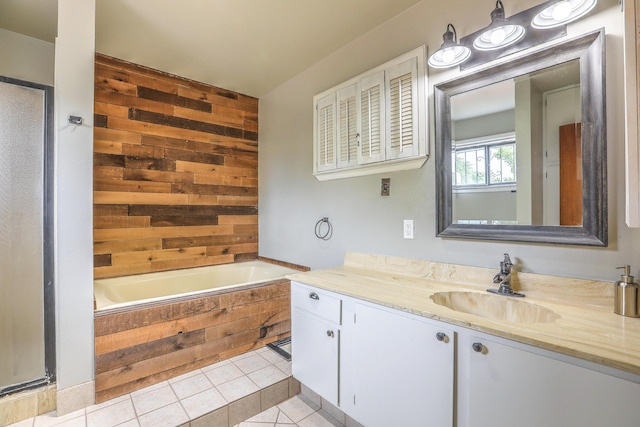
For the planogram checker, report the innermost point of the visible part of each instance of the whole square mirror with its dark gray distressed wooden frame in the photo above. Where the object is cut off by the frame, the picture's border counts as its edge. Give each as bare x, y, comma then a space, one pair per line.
521, 148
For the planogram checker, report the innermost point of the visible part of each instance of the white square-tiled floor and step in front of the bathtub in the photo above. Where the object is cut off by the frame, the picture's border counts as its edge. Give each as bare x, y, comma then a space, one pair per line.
218, 394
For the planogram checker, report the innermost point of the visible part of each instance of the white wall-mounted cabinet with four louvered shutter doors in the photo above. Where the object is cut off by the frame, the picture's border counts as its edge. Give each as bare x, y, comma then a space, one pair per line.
373, 123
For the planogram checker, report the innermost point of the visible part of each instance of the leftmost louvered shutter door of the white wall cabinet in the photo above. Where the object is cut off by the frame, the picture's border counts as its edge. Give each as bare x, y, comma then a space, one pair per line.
325, 133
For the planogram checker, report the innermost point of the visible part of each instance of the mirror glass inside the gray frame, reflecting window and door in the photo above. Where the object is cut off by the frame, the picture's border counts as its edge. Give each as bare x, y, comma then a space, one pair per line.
516, 150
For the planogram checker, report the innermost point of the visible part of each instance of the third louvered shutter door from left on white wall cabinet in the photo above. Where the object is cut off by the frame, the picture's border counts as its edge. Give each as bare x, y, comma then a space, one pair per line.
371, 119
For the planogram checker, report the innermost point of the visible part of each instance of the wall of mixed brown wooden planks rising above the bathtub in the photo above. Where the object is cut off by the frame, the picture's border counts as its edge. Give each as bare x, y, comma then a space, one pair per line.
175, 172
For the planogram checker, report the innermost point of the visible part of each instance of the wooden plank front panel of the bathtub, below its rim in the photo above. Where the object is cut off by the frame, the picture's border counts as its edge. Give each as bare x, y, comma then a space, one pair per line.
139, 348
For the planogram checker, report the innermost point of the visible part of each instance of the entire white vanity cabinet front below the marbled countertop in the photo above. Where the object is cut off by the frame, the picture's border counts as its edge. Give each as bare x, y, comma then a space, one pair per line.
386, 367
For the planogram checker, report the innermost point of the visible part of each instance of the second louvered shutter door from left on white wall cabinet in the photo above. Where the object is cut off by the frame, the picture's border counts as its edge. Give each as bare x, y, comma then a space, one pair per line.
347, 127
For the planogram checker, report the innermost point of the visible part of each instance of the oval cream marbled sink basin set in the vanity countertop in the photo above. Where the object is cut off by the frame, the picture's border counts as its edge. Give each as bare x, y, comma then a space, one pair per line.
496, 307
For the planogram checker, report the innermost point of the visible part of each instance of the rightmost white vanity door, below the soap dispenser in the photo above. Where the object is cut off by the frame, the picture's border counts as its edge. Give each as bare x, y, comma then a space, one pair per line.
503, 386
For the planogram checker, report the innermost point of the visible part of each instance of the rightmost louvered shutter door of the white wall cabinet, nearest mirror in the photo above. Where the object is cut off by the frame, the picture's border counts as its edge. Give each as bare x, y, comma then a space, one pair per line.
402, 110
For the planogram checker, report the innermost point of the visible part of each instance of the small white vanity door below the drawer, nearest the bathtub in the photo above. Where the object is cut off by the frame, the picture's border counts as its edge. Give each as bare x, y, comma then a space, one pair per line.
314, 352
